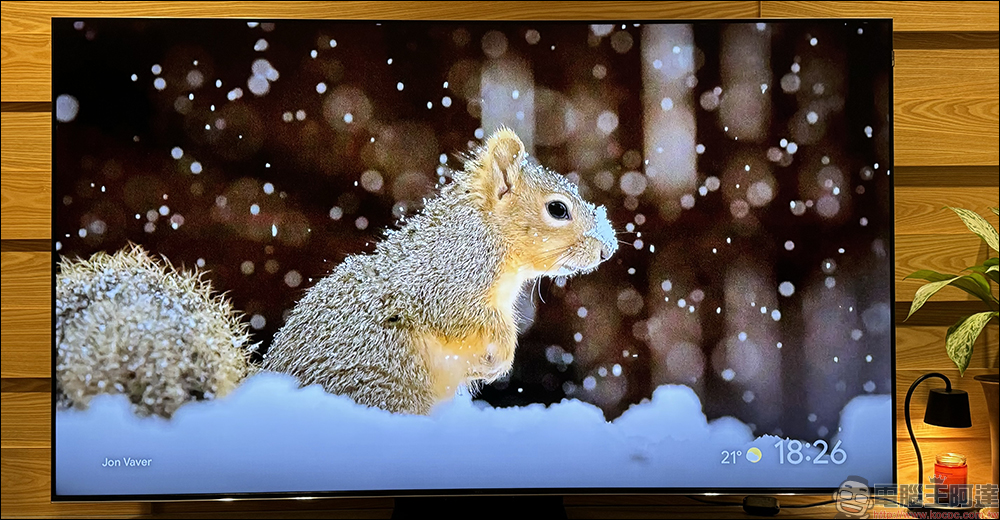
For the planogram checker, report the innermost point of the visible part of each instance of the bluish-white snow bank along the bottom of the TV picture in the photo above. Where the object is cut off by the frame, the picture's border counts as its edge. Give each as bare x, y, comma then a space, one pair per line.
269, 435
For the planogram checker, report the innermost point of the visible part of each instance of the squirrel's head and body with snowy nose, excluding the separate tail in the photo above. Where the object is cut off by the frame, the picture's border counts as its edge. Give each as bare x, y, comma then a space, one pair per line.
432, 309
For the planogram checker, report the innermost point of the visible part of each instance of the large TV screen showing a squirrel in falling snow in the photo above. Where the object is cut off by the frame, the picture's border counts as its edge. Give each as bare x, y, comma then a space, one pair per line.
309, 257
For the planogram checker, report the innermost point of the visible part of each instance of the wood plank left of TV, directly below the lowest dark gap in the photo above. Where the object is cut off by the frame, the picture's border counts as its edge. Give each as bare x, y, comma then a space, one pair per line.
26, 420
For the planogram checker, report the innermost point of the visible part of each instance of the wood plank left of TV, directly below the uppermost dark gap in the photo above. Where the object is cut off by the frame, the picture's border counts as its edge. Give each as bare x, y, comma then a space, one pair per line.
26, 139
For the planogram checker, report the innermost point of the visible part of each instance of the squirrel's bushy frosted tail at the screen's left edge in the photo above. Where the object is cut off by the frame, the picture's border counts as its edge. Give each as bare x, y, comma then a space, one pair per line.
129, 324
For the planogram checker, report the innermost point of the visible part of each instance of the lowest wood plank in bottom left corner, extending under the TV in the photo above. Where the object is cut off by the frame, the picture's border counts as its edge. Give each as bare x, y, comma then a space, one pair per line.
27, 484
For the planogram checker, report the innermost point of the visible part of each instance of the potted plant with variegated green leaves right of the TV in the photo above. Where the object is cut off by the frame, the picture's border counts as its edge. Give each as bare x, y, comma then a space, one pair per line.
963, 334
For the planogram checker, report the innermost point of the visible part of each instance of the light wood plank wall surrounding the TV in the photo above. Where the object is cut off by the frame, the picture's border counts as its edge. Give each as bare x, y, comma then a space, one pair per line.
946, 152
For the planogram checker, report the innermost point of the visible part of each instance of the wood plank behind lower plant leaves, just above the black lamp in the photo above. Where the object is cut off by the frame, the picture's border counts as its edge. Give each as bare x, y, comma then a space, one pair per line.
922, 348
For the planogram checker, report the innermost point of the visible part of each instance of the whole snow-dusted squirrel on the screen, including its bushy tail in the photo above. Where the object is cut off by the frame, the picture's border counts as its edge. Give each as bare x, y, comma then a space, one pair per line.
403, 328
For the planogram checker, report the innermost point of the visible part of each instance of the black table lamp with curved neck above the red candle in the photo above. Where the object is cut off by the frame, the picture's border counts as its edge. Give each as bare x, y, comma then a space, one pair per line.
945, 407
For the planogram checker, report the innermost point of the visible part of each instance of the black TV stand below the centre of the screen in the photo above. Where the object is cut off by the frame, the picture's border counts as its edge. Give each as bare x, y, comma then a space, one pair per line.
480, 507
